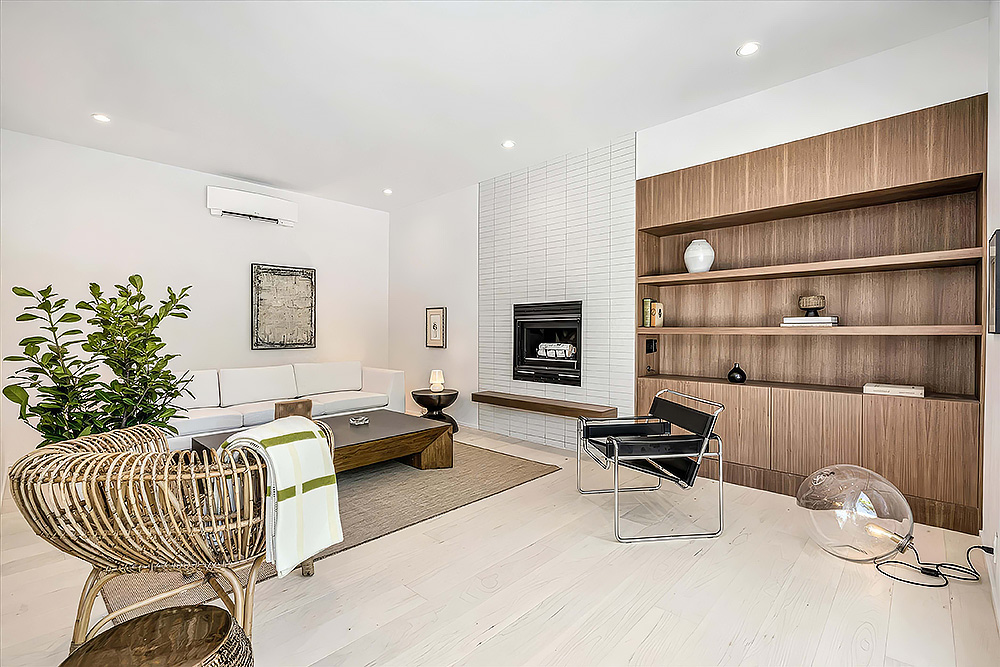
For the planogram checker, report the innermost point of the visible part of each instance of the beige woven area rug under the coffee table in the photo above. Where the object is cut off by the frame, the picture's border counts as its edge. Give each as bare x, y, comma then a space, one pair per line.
374, 501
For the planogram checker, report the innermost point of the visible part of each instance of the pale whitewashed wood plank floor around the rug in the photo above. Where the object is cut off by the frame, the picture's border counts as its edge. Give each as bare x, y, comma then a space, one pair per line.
534, 576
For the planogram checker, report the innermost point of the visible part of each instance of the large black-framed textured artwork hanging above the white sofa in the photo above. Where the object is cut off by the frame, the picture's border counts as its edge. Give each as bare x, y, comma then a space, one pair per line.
282, 307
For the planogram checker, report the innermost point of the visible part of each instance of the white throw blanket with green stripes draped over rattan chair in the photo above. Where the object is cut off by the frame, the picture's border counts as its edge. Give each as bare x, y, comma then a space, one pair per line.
302, 511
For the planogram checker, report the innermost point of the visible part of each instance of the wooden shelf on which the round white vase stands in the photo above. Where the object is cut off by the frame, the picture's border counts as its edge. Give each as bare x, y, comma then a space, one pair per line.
916, 260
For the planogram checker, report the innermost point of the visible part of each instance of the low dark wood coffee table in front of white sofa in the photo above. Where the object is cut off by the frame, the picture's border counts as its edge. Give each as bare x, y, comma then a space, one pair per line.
421, 443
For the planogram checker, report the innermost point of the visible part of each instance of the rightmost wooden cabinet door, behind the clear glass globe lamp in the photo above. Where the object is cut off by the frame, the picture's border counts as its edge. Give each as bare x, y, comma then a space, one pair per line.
926, 447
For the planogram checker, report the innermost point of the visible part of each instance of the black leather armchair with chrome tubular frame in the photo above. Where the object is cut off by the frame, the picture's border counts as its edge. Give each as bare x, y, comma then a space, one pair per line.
614, 462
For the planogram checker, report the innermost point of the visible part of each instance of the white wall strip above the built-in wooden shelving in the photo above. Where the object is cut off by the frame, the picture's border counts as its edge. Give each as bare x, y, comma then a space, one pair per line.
934, 70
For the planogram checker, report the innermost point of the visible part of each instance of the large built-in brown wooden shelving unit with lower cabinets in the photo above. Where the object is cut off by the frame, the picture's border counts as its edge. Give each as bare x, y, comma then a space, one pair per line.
884, 219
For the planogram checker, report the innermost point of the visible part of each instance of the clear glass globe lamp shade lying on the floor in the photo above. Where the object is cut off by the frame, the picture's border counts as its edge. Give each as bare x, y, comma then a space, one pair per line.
855, 513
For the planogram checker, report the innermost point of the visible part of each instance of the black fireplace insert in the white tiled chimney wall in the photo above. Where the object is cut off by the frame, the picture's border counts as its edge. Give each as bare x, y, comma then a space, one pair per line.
547, 342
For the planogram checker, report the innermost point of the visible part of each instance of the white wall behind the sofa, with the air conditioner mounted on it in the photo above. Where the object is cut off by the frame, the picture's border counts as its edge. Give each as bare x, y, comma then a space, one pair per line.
71, 215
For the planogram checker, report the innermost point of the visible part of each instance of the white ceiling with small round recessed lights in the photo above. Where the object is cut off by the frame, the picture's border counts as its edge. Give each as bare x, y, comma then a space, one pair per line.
341, 100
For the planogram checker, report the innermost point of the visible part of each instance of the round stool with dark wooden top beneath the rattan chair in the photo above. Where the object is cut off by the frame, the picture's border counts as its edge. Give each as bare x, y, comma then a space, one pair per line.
192, 636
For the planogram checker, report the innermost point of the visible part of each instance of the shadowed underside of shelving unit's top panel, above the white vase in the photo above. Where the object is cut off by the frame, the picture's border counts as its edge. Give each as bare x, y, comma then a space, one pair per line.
934, 188
